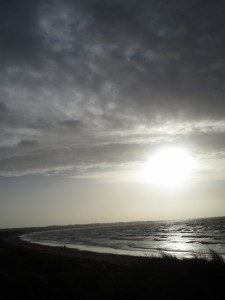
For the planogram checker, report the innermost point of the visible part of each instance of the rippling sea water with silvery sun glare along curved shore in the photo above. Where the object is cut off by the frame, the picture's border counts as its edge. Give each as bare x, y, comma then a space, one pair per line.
180, 238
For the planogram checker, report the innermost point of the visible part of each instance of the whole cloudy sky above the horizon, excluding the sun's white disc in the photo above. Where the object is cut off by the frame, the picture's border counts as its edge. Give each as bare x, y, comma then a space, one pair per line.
90, 90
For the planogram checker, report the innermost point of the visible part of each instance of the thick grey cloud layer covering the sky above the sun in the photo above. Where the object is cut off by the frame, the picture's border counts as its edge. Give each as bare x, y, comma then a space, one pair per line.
91, 82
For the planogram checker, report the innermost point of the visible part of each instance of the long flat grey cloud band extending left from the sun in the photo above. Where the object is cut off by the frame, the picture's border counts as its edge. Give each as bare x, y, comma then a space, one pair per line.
43, 160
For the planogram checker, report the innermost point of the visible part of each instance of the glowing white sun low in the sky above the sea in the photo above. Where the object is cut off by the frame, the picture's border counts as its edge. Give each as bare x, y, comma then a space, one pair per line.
169, 167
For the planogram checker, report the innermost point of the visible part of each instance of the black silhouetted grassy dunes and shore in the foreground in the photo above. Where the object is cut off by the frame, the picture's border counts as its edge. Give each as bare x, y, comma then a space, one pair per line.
36, 272
